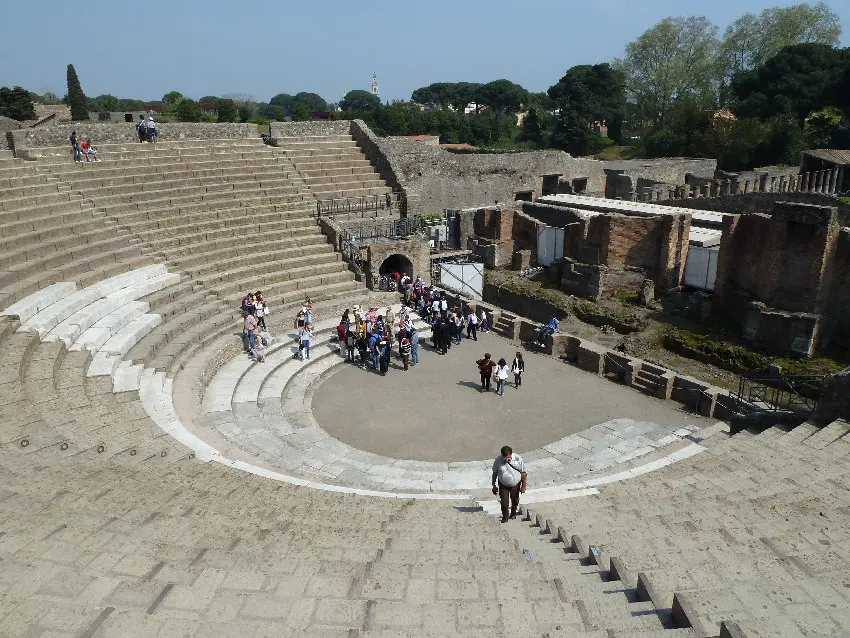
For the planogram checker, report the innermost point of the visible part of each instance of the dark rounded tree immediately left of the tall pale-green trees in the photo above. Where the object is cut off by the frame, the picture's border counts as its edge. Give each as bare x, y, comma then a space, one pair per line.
587, 94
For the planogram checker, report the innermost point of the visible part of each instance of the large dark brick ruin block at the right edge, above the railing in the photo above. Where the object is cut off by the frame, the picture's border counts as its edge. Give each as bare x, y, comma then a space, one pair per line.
785, 277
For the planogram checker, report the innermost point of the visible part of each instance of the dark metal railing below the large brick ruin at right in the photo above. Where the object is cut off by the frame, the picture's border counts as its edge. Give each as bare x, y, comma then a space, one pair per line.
780, 393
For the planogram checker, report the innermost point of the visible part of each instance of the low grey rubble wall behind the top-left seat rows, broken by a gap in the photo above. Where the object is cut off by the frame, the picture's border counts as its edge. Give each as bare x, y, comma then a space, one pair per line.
124, 132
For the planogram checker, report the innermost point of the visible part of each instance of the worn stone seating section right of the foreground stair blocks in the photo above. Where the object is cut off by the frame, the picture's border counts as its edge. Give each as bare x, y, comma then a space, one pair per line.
753, 533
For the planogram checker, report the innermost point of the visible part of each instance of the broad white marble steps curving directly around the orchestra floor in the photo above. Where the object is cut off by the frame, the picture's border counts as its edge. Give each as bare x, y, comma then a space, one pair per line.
265, 410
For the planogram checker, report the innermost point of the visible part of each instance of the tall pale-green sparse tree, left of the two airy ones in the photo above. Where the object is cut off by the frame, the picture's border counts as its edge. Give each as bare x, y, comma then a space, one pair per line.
677, 56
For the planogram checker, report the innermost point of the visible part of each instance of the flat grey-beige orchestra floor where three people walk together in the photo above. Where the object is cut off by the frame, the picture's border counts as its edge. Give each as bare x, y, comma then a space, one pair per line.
437, 412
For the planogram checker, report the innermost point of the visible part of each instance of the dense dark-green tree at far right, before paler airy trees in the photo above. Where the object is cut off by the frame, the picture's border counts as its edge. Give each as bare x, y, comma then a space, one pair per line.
798, 80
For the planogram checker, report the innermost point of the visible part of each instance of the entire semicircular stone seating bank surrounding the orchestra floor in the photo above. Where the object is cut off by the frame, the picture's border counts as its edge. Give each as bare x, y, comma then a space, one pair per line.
119, 519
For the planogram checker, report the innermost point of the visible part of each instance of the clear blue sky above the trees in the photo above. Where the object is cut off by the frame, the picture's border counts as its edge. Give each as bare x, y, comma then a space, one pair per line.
261, 48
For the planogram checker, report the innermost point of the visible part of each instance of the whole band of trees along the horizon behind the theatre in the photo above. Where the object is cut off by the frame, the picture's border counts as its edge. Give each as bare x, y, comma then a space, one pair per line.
772, 84
